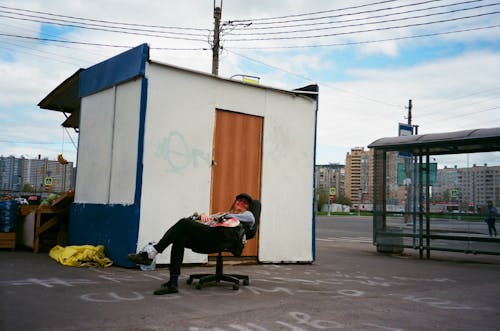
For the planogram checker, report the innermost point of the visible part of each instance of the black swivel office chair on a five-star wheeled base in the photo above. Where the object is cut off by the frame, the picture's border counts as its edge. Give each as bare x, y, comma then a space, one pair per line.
235, 247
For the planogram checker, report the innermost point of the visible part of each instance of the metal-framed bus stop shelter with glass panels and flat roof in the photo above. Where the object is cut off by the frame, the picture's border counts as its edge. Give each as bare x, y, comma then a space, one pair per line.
426, 231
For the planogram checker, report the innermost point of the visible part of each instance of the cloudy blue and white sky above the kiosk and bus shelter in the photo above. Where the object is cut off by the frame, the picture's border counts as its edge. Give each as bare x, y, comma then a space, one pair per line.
369, 58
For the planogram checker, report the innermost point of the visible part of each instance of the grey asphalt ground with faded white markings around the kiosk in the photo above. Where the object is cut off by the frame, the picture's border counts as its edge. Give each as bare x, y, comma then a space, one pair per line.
349, 287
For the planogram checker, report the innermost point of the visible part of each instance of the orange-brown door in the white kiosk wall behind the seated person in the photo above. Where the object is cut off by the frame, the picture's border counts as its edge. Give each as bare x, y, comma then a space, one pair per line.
236, 164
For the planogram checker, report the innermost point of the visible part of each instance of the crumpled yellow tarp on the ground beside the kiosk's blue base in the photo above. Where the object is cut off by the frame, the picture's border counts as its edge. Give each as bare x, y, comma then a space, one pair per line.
80, 256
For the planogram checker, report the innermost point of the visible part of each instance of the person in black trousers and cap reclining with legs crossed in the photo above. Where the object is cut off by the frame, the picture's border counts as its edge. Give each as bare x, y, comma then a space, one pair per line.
196, 231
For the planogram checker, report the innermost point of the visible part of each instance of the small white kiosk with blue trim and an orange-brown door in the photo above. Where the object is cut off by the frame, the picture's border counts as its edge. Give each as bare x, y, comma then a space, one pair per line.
158, 142
